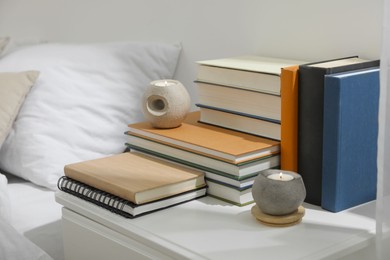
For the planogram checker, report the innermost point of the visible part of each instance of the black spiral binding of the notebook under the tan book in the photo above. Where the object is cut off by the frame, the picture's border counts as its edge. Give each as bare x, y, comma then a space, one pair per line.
98, 197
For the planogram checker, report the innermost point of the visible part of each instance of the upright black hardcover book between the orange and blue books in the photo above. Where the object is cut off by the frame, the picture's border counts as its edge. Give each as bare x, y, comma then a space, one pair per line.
310, 118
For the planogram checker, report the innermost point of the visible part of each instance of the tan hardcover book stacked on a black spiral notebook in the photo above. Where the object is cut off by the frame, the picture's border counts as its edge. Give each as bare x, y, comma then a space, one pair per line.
132, 184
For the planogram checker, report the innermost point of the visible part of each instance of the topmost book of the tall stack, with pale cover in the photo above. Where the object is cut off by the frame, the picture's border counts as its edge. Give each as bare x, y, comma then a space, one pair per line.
247, 72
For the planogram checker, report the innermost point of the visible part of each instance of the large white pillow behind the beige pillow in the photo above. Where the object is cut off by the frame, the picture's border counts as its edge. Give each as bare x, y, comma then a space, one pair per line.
80, 105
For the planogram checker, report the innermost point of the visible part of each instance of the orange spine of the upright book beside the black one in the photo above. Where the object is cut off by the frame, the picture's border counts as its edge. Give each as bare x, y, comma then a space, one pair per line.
289, 118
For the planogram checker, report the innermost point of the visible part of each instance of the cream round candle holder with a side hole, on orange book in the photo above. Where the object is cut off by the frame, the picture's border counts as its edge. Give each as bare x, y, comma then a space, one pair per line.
166, 103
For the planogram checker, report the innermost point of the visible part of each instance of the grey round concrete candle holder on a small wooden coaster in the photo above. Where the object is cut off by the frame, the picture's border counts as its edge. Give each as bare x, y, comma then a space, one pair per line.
278, 192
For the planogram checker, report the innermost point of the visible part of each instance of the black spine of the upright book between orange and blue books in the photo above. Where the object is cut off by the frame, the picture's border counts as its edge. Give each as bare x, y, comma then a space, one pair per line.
310, 118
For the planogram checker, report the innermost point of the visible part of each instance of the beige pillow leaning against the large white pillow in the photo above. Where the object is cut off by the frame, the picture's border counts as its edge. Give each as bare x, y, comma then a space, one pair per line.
14, 87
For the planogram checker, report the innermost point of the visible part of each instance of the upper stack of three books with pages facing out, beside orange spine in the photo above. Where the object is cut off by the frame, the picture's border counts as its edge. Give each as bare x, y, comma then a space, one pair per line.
242, 93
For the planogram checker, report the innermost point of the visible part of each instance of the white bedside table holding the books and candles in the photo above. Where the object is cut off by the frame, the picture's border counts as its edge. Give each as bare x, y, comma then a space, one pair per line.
211, 229
